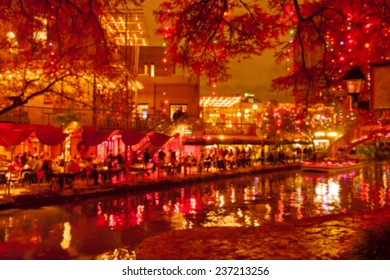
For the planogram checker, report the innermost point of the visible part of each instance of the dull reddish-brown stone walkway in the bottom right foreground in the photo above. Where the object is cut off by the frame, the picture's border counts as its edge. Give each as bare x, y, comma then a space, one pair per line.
326, 238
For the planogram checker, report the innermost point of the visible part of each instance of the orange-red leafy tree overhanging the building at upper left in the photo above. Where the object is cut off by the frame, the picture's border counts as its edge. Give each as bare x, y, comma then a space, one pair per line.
57, 48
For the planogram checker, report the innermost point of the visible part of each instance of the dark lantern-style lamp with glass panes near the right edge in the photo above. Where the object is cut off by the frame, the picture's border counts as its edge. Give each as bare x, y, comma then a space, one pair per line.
354, 80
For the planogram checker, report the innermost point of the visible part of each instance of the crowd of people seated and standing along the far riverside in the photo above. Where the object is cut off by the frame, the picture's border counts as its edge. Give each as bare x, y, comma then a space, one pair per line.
31, 168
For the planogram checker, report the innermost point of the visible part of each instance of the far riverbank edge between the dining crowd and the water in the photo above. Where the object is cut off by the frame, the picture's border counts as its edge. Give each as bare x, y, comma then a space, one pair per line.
31, 196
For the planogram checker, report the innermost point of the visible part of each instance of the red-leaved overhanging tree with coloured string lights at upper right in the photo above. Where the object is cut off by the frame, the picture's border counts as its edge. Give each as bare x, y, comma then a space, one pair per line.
317, 40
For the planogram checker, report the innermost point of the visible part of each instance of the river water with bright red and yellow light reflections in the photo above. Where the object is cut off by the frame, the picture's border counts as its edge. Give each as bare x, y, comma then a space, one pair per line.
112, 226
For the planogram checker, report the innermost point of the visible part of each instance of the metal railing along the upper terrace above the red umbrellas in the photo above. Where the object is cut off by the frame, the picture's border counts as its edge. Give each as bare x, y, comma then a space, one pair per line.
111, 120
